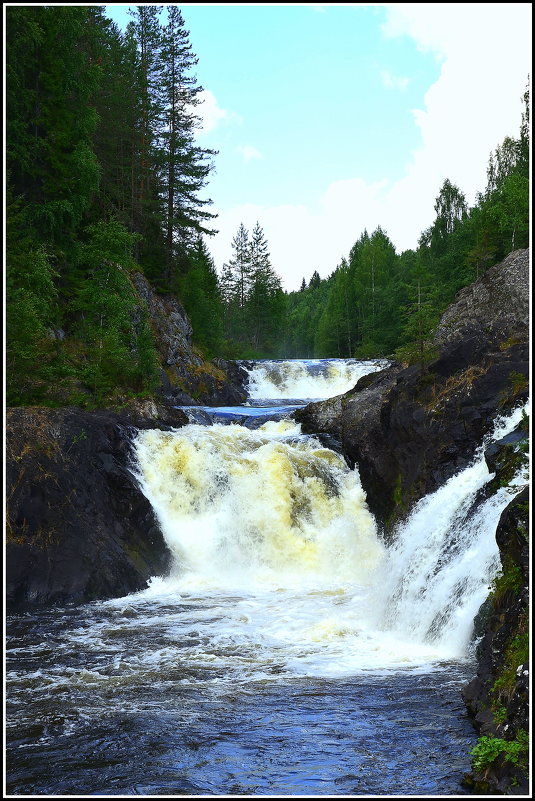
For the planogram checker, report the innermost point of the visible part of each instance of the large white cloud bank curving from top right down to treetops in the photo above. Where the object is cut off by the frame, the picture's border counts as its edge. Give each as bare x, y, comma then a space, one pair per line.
484, 53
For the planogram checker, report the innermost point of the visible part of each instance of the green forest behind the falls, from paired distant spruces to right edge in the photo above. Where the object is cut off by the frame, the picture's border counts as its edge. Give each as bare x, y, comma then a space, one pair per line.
378, 302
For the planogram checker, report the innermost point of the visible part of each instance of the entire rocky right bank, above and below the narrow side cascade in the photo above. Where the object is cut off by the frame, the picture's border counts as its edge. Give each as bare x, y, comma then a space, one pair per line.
410, 429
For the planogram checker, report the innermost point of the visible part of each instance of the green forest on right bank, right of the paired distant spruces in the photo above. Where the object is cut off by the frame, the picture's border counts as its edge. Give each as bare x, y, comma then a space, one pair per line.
378, 303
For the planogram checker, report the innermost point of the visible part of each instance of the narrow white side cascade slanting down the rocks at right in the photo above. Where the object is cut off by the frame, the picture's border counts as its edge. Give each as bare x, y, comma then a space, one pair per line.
445, 555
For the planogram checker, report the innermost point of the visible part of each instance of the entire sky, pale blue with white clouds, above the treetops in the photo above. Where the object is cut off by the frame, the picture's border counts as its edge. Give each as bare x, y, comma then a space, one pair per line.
333, 118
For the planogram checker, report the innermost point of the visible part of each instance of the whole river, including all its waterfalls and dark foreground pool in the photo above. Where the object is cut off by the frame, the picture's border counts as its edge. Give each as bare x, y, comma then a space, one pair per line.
289, 651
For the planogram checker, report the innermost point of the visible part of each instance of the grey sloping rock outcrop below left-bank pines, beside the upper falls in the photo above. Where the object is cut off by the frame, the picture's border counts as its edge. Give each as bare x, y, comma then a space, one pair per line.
187, 380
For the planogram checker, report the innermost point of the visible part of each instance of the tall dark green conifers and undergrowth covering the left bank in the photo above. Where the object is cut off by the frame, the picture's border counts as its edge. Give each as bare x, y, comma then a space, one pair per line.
104, 177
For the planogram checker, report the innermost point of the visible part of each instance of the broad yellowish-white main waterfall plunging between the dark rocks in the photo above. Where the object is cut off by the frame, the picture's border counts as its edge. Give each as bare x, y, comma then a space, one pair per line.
243, 508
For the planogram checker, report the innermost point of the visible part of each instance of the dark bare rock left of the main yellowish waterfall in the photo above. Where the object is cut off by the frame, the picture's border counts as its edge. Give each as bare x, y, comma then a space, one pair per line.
78, 526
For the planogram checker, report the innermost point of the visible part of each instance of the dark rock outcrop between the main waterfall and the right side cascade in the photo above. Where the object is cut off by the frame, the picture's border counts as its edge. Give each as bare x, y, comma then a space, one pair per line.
410, 429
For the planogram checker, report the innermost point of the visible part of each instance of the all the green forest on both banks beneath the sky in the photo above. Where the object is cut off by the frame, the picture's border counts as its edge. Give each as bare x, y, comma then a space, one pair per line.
105, 177
